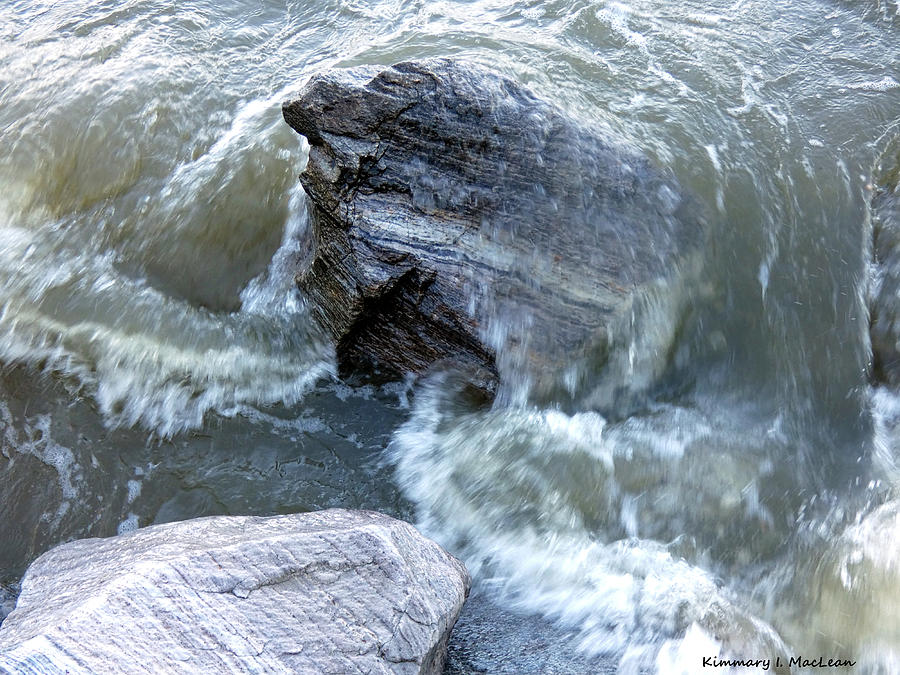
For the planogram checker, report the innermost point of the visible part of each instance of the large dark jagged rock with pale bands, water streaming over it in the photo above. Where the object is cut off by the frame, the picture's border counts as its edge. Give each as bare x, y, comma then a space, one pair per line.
459, 216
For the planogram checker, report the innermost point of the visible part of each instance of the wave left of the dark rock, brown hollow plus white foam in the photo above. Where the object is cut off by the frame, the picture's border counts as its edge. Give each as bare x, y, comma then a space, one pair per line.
145, 319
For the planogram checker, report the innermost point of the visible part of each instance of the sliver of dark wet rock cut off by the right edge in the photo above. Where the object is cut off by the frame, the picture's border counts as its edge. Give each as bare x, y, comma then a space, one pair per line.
885, 300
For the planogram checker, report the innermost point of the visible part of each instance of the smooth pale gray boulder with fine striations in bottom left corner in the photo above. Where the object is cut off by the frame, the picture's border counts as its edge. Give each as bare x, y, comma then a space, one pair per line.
327, 592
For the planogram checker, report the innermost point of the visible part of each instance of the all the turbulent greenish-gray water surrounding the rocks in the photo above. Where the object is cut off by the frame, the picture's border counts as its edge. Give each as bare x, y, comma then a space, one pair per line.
159, 362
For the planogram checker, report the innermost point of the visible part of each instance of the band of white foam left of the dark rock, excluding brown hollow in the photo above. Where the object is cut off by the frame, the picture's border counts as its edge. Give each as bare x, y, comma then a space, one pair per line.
150, 359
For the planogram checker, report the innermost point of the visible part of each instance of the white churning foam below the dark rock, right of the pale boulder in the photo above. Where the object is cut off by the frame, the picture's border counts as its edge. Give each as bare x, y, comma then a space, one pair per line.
548, 510
